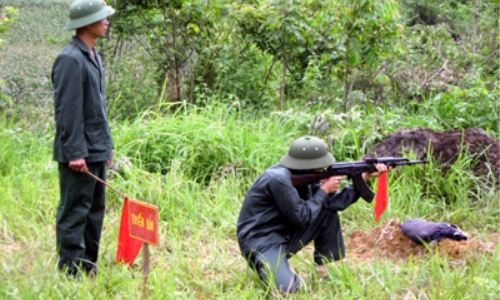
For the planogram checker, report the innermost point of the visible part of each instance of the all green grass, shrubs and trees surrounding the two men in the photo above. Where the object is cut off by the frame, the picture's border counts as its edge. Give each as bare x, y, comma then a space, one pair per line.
196, 146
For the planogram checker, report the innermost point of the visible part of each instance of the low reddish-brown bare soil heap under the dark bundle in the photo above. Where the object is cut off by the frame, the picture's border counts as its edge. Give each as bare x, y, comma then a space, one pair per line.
388, 242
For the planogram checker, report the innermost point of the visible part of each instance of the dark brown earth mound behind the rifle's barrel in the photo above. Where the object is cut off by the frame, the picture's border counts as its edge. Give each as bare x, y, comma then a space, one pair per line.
446, 146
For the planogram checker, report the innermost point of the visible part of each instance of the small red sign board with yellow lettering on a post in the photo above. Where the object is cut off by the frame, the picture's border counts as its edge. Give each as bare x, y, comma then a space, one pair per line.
143, 219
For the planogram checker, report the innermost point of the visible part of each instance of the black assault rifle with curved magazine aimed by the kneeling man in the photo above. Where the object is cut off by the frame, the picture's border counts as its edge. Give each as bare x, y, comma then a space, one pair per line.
353, 171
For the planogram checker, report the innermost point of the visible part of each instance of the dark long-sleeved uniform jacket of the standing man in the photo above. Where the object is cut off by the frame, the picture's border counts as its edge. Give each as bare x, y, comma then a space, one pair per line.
82, 128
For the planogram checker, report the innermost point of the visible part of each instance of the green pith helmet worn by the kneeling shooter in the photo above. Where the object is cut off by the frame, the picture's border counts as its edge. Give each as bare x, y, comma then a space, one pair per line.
307, 153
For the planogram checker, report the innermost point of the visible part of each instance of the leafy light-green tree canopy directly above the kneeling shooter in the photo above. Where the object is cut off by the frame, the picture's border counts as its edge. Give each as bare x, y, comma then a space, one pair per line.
352, 35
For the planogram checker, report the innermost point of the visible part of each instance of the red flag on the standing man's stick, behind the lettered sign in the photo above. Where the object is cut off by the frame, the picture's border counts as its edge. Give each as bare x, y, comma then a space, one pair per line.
128, 247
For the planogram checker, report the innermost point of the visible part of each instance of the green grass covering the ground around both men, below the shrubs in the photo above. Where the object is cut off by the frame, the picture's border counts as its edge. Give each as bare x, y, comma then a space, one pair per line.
198, 256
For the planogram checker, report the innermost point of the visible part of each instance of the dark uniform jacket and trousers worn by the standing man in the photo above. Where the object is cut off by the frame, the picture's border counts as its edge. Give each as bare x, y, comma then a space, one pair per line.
82, 131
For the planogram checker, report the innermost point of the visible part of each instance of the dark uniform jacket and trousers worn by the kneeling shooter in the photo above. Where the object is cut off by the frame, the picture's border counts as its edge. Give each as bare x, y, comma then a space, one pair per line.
277, 220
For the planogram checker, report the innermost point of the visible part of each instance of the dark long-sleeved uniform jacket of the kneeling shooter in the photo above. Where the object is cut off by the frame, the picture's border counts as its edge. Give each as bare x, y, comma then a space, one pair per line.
273, 208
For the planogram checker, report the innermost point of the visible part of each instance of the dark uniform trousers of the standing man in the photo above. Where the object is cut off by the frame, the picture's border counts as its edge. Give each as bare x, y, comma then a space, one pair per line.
80, 216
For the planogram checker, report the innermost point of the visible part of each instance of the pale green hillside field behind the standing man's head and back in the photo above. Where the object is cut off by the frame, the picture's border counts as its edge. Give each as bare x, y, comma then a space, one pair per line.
28, 53
